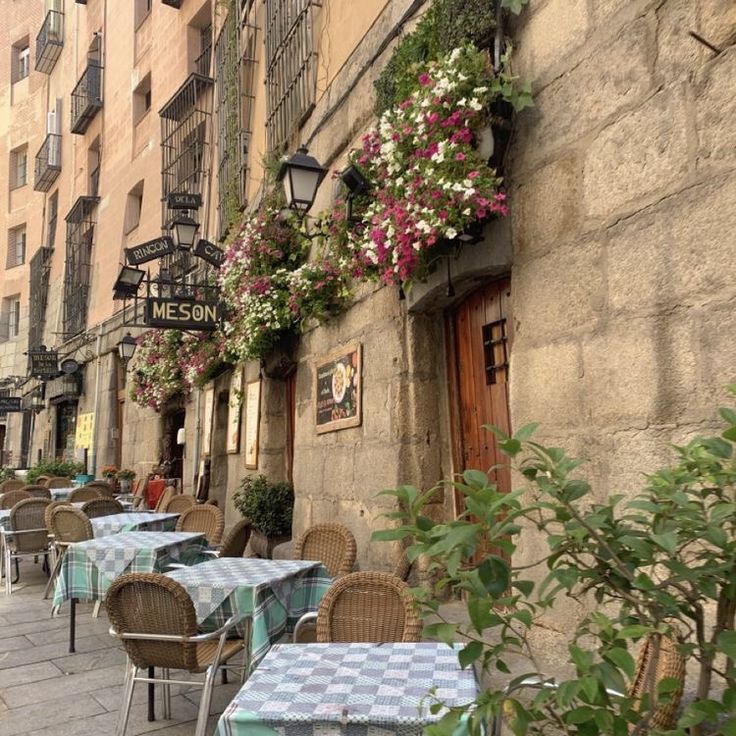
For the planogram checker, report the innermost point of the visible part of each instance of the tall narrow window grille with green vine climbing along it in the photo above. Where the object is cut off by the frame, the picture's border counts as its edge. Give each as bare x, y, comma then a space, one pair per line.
235, 73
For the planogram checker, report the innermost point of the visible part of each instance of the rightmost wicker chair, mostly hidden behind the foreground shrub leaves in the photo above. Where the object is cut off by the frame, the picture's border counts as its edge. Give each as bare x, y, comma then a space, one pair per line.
651, 668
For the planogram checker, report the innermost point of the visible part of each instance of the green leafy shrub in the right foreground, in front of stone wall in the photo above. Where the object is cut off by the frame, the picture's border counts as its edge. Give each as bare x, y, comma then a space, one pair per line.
661, 567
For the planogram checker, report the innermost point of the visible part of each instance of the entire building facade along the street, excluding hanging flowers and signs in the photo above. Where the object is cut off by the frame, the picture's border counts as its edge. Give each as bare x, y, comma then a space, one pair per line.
607, 288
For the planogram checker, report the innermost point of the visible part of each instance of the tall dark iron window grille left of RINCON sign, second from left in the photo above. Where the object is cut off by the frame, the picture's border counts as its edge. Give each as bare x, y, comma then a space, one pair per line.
80, 223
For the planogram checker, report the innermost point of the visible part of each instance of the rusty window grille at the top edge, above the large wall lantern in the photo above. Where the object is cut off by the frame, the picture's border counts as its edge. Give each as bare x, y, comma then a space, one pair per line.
291, 66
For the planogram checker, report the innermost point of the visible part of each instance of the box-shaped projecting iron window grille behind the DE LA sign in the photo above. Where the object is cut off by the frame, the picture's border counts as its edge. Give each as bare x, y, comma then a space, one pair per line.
184, 126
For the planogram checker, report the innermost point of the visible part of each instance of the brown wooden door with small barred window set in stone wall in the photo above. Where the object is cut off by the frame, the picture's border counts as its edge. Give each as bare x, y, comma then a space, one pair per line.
481, 332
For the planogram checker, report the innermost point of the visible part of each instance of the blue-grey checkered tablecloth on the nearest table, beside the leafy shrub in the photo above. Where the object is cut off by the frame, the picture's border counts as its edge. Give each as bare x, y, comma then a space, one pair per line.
348, 690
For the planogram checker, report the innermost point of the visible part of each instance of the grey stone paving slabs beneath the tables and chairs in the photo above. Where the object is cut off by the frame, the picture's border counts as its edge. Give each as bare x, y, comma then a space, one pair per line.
45, 691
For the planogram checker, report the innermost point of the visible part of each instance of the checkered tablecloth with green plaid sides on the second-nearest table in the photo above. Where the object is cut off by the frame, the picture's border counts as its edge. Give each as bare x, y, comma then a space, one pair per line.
274, 593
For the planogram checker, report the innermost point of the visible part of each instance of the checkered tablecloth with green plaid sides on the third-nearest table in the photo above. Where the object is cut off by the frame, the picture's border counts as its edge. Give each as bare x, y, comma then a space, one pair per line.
88, 568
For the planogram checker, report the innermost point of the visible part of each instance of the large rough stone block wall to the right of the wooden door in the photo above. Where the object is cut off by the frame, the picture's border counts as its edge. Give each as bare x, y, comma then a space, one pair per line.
623, 192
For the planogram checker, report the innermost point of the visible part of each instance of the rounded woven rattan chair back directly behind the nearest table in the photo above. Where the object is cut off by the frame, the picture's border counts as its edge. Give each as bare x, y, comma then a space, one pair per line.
368, 607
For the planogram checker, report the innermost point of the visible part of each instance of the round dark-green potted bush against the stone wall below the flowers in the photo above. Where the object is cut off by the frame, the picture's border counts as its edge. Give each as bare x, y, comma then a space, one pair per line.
269, 506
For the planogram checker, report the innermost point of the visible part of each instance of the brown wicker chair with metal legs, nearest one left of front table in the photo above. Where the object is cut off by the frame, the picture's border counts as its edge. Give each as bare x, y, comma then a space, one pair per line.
143, 608
